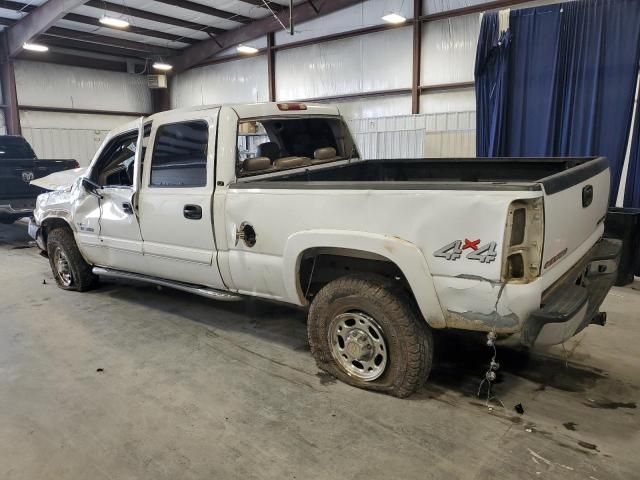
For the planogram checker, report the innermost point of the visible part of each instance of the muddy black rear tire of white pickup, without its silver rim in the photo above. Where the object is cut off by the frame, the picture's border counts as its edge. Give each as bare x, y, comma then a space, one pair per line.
408, 339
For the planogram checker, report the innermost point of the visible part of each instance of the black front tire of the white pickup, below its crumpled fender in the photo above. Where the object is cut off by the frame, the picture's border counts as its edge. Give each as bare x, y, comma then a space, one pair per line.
60, 242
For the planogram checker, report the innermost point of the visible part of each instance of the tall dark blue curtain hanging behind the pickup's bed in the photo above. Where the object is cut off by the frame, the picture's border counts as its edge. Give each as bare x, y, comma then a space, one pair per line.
570, 82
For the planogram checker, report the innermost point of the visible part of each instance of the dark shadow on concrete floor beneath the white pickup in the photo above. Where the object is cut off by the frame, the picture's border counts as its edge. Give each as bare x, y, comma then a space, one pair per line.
460, 360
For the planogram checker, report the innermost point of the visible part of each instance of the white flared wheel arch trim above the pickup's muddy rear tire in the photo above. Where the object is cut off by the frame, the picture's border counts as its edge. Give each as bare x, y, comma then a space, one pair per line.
397, 253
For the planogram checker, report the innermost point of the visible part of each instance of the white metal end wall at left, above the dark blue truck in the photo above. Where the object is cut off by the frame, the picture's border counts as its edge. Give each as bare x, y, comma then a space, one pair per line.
68, 134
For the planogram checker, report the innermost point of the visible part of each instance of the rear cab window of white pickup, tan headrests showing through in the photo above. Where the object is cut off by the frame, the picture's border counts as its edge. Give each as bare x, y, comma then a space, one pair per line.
272, 144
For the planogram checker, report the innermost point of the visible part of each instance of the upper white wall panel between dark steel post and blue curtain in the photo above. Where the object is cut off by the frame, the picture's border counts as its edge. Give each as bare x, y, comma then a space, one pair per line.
449, 50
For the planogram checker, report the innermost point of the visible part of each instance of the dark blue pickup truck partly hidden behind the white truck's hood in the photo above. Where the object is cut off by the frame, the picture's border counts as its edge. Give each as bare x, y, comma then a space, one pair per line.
18, 166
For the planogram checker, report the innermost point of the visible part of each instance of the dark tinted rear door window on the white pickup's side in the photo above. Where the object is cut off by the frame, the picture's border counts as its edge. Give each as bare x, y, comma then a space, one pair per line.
180, 155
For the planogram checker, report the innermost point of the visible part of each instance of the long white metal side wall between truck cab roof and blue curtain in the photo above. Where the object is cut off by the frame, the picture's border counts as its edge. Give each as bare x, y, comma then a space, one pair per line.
362, 64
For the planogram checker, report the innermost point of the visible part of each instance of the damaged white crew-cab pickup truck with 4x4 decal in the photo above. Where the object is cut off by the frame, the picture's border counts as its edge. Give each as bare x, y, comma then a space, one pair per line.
273, 201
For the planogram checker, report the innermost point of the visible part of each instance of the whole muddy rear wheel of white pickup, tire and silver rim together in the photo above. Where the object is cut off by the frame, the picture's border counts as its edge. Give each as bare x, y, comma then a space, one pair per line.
364, 331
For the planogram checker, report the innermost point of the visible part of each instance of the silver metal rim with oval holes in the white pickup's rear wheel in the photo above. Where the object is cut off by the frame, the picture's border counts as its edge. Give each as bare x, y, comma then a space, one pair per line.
358, 346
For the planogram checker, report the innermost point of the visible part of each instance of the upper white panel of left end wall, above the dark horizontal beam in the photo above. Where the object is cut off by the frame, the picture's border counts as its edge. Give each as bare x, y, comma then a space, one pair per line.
63, 86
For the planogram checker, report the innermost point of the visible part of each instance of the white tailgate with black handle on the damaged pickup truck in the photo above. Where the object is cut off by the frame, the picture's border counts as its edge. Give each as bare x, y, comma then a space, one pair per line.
575, 205
